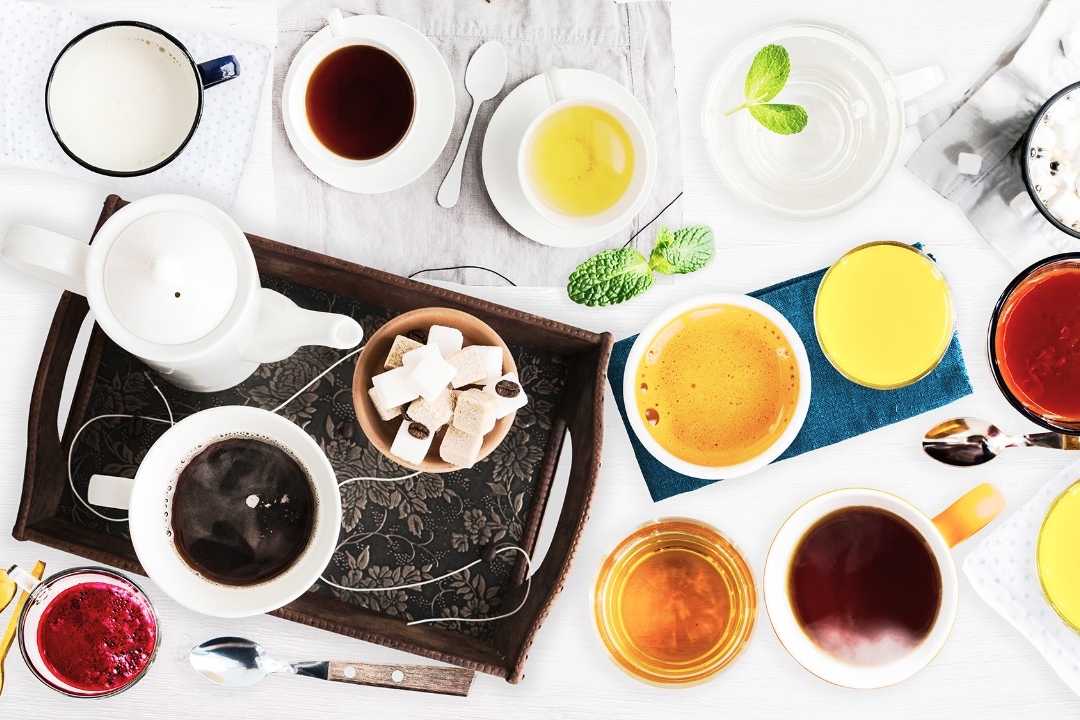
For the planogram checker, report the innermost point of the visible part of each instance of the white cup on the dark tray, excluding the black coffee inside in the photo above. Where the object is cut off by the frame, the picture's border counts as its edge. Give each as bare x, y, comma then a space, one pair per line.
150, 501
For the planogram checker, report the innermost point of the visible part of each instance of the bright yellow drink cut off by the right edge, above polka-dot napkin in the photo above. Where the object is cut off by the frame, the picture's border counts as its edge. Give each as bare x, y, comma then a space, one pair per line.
1057, 555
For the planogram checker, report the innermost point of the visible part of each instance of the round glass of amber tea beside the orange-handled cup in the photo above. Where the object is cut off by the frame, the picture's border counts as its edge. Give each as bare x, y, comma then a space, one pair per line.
674, 603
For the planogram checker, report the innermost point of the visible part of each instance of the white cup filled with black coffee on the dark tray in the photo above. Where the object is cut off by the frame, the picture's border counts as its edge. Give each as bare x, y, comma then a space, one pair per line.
234, 512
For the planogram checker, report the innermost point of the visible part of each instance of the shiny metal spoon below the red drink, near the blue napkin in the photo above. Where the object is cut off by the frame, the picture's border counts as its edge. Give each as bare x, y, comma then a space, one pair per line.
966, 442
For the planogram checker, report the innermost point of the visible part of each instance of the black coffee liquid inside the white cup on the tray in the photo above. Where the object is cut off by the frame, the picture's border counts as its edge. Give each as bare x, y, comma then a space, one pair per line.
244, 511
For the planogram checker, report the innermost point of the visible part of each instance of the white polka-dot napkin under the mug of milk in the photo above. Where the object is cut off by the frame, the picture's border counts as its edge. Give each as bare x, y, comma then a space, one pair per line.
33, 35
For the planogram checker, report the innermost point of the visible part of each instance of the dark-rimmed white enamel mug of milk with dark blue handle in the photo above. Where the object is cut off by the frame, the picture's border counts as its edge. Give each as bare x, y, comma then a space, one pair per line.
125, 99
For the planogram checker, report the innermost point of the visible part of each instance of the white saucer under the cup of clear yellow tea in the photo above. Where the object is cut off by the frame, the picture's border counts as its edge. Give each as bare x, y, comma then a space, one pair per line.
505, 134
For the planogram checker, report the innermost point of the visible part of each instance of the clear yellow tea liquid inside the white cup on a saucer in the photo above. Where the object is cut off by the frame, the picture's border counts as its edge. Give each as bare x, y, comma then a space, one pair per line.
582, 161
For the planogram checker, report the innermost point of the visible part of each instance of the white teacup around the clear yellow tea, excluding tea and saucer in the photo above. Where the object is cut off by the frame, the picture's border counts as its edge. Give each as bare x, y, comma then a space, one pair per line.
624, 209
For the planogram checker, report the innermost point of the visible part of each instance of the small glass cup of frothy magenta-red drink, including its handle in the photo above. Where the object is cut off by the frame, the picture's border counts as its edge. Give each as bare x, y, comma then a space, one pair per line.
87, 632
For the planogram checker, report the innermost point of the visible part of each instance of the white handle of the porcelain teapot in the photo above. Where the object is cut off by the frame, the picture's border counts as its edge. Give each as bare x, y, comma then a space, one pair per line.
46, 255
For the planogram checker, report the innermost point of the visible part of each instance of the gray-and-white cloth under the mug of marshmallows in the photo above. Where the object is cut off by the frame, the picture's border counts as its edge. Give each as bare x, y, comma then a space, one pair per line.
990, 121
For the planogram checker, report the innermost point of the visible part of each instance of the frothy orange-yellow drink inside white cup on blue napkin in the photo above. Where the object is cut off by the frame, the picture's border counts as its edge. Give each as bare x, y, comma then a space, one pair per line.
718, 386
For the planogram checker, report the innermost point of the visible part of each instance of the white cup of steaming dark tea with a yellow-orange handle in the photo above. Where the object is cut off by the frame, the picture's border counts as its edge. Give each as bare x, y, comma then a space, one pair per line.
861, 587
